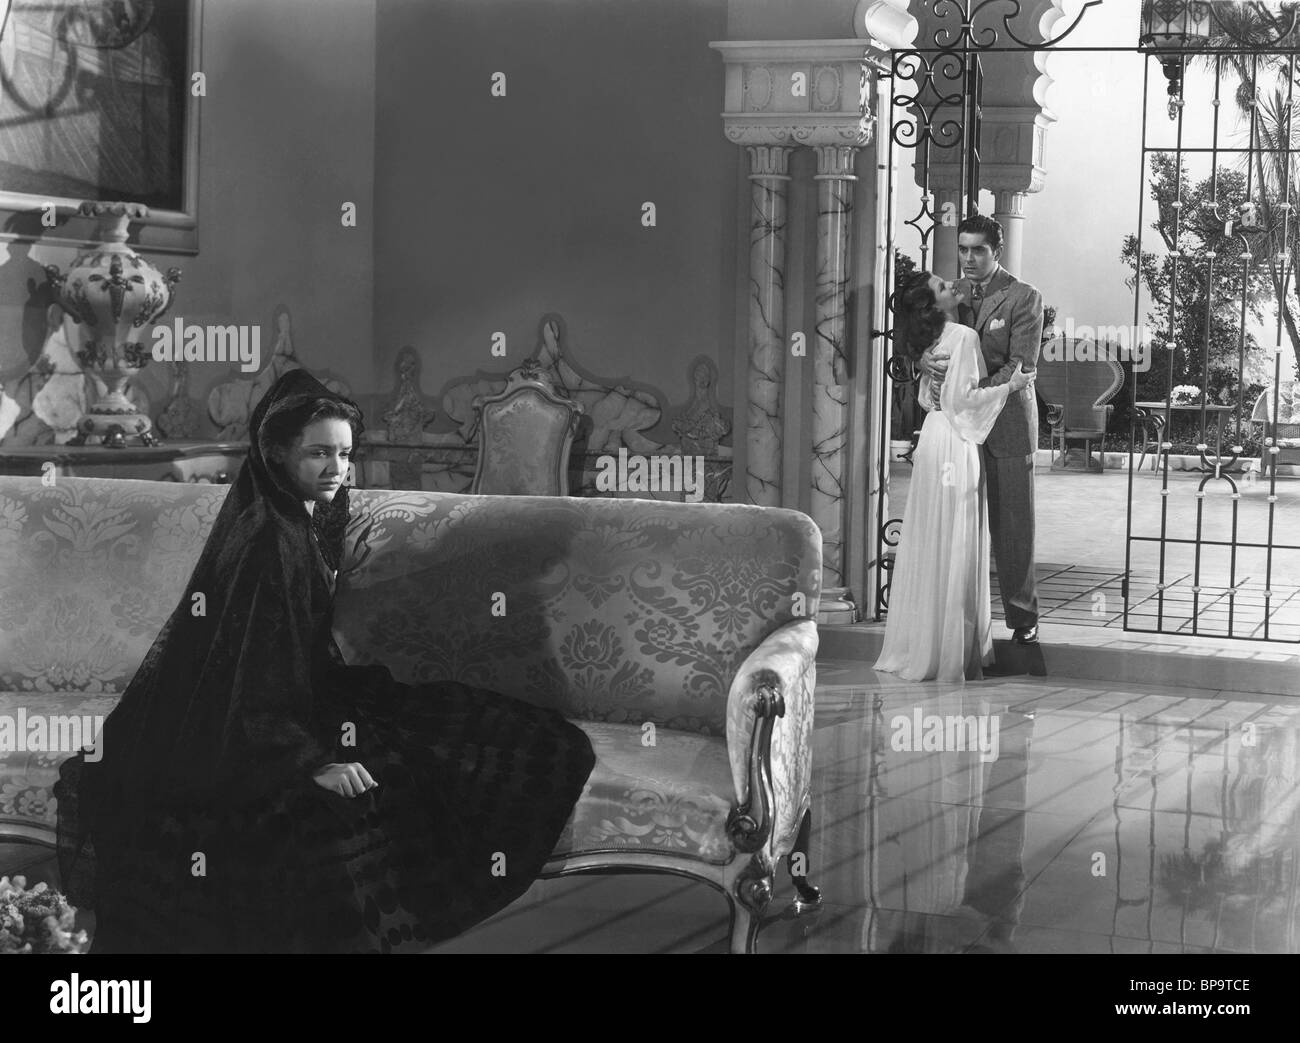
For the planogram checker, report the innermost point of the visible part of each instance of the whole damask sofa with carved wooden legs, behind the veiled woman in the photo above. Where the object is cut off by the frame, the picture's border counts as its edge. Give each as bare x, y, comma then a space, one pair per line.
679, 637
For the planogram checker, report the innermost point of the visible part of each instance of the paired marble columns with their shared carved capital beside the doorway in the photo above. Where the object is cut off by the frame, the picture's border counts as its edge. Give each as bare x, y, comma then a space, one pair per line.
779, 96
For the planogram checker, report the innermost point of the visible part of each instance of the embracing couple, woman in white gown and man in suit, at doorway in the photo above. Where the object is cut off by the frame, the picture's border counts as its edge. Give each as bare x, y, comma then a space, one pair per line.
977, 344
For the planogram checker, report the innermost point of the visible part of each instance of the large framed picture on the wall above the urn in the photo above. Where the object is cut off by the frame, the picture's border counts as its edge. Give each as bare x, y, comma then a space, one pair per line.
36, 27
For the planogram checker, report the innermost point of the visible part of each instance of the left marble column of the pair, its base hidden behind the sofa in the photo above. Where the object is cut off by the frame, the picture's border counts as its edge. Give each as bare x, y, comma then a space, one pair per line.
768, 345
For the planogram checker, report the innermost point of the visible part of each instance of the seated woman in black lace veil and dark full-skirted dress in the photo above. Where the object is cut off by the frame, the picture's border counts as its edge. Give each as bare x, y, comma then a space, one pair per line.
252, 793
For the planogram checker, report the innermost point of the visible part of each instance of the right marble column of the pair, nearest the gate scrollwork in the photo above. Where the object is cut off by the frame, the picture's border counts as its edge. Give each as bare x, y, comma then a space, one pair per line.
835, 180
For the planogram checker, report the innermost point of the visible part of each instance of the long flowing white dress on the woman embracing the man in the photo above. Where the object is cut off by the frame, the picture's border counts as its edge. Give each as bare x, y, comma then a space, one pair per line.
939, 624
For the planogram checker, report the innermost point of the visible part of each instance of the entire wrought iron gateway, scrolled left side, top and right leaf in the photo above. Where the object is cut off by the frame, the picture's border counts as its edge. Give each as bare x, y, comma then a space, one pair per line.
1180, 577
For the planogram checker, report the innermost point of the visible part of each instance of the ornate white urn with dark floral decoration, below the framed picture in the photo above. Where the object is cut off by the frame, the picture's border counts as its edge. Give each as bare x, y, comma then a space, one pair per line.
114, 296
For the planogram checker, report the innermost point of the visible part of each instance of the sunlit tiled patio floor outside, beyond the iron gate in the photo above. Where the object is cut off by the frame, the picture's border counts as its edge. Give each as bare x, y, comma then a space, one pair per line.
1082, 521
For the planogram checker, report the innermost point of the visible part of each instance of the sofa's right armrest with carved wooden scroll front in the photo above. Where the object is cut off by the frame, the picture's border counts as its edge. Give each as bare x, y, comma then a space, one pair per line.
770, 738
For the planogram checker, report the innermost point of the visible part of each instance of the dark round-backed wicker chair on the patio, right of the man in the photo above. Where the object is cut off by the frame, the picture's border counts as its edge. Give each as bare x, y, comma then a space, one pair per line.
1077, 393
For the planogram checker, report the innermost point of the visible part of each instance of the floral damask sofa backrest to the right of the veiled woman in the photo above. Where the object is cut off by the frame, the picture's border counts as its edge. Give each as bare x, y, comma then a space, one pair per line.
606, 609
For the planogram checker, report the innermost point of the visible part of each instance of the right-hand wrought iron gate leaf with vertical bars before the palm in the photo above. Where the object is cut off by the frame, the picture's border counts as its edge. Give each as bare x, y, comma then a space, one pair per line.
1230, 232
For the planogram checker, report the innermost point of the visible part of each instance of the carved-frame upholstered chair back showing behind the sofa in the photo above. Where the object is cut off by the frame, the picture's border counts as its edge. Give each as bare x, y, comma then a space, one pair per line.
526, 432
